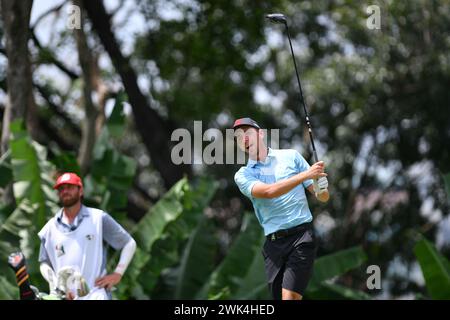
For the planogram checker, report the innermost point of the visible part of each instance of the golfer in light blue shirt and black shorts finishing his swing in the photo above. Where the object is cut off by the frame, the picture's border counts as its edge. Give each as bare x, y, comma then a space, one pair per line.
275, 182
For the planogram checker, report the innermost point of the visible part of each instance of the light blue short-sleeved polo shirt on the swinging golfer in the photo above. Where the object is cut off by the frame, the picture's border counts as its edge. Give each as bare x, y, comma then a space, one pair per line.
285, 211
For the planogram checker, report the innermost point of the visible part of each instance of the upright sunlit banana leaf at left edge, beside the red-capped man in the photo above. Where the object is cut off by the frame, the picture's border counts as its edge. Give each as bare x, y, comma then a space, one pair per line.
33, 180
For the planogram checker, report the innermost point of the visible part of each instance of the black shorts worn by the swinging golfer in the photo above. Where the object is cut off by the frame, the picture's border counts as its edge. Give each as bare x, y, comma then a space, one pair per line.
289, 260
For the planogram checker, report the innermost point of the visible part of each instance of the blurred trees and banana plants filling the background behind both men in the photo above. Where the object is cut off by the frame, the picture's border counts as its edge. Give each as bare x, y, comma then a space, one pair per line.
103, 101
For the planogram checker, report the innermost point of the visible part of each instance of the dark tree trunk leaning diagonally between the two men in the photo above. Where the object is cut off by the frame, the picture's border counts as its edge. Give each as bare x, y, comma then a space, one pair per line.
154, 131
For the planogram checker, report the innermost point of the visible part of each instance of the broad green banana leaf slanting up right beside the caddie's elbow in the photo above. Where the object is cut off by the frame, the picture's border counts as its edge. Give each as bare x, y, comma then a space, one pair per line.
163, 232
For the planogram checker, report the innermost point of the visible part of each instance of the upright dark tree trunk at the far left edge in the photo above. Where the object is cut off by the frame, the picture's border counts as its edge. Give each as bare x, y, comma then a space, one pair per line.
20, 105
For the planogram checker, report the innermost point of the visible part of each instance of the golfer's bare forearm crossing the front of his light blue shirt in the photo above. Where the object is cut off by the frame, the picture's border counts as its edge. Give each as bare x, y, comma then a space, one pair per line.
273, 190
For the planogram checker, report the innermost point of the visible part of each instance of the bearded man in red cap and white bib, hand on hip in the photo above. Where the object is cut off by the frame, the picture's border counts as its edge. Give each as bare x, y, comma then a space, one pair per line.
74, 238
